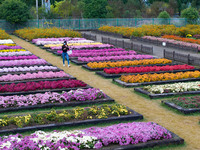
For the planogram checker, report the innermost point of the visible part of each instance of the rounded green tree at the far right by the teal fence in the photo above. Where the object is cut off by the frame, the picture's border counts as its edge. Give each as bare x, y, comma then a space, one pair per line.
191, 14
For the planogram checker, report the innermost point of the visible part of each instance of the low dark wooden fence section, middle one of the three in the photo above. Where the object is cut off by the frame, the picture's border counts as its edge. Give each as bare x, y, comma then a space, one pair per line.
128, 45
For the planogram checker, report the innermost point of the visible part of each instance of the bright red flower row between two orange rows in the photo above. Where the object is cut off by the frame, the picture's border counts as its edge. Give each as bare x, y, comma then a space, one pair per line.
147, 69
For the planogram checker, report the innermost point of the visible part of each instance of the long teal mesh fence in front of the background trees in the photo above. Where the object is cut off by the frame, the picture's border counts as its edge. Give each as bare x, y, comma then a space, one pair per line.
84, 24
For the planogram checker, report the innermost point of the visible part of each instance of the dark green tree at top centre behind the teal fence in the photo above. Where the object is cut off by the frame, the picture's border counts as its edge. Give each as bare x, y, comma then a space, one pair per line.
95, 8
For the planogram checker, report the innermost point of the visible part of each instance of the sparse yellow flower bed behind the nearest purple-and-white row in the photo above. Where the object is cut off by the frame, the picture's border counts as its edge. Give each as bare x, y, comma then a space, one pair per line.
68, 115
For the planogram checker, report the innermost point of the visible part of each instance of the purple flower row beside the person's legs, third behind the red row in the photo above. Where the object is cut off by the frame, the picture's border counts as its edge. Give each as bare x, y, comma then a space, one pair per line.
102, 54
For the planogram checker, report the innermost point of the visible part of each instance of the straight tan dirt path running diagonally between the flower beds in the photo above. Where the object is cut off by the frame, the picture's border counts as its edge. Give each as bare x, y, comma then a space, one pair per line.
186, 127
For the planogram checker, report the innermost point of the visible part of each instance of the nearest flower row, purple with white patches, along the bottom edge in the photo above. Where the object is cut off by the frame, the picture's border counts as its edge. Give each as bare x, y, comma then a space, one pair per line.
89, 138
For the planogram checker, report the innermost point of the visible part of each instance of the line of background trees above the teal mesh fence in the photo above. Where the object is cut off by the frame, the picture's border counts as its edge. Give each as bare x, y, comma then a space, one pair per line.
17, 11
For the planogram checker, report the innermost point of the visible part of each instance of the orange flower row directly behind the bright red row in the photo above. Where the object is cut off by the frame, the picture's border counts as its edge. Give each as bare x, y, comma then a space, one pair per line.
128, 63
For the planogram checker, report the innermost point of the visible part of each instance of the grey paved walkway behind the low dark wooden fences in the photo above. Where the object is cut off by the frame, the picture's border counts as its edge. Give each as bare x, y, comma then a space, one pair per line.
157, 50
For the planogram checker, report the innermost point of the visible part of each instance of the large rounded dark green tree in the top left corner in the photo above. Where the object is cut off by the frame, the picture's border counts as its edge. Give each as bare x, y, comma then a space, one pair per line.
14, 11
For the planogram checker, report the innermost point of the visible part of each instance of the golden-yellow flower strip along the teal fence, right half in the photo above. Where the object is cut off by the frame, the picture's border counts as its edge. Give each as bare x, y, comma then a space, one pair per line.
153, 30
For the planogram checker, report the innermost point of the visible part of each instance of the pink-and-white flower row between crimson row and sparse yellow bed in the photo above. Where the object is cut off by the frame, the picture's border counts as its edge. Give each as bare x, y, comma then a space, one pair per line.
51, 97
